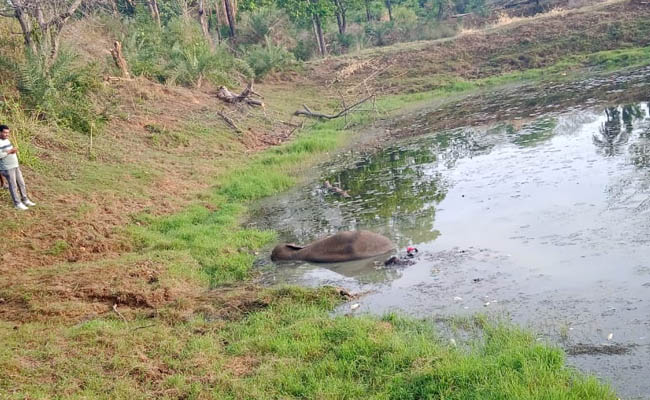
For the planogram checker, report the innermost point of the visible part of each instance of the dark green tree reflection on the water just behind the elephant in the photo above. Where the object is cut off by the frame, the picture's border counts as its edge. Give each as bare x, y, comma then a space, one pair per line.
393, 191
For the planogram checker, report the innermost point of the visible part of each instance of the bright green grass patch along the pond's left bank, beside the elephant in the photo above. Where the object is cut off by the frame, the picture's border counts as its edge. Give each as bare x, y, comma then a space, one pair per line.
211, 232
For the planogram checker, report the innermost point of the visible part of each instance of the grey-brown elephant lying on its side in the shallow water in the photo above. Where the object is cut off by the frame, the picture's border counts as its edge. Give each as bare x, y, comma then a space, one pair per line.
343, 246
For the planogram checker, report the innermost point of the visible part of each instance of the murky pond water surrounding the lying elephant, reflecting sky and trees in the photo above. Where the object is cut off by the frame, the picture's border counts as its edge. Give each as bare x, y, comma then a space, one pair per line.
544, 222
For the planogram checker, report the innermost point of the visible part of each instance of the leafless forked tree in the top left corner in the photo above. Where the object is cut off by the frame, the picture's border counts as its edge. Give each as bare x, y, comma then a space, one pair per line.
41, 22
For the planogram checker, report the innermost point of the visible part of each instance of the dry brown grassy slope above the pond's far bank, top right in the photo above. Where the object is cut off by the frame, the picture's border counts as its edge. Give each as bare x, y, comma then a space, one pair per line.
517, 44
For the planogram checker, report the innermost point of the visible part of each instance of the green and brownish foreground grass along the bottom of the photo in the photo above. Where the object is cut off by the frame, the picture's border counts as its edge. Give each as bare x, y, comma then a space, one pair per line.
293, 349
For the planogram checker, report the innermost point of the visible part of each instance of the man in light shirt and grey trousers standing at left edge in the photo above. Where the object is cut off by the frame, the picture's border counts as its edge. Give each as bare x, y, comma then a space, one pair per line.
11, 171
